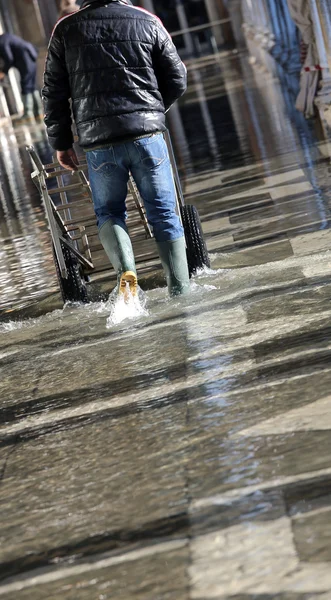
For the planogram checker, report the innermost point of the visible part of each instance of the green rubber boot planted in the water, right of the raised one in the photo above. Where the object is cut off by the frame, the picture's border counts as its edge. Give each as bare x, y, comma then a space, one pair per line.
174, 262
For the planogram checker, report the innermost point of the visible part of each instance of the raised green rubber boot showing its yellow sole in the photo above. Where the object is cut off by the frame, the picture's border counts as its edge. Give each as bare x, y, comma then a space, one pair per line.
117, 244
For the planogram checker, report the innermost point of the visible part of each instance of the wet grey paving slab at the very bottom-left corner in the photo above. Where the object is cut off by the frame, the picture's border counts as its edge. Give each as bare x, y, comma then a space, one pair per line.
160, 576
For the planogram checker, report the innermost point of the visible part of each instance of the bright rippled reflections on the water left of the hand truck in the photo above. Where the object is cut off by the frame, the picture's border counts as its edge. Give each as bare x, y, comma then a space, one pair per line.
26, 268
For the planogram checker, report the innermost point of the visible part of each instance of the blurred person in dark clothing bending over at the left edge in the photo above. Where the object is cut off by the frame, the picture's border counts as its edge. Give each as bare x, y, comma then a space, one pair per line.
15, 52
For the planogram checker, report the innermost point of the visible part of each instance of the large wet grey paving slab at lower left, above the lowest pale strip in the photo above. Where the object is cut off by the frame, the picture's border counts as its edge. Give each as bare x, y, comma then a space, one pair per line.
78, 483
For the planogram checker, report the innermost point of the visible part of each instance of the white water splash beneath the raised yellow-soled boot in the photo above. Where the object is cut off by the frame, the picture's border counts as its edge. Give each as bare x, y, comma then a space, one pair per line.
126, 306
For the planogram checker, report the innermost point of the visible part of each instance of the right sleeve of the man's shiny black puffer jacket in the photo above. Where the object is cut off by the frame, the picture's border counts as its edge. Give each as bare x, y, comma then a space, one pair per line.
170, 71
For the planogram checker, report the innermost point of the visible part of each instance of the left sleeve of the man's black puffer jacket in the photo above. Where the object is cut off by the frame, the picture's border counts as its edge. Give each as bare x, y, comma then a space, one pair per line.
56, 95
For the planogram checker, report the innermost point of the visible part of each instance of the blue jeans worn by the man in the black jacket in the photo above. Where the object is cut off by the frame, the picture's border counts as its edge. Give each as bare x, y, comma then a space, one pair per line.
148, 161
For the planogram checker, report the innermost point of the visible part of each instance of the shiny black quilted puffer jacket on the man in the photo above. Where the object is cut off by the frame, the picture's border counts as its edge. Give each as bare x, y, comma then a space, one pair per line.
120, 68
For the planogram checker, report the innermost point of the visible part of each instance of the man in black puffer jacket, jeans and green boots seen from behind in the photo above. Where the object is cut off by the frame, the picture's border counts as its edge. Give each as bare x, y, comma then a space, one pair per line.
119, 67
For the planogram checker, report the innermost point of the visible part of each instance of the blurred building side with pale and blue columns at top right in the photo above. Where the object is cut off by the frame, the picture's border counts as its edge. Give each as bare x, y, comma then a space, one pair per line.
293, 38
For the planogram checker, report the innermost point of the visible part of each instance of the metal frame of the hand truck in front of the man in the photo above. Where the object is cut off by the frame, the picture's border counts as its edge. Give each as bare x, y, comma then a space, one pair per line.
61, 226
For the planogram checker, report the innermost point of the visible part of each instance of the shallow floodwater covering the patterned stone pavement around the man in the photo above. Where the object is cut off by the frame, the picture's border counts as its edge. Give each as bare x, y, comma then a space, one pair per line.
183, 452
